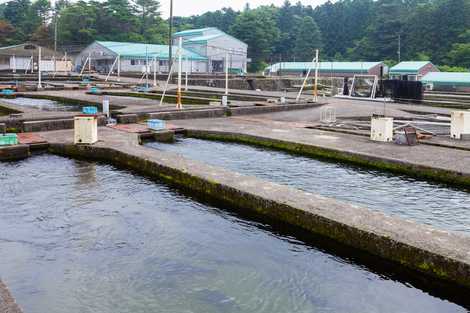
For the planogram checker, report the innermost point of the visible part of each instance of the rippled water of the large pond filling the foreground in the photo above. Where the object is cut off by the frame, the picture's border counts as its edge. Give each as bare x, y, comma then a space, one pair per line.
81, 237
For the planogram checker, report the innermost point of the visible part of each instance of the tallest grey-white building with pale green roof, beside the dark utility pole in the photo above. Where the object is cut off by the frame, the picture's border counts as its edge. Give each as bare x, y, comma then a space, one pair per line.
220, 49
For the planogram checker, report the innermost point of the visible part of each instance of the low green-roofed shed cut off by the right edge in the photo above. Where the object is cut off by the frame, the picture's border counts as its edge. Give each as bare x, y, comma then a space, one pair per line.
447, 81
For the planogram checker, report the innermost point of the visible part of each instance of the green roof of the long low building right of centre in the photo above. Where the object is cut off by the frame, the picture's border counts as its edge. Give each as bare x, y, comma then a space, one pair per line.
343, 67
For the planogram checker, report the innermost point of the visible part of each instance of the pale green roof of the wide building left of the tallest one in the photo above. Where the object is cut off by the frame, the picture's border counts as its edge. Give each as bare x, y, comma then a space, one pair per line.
142, 50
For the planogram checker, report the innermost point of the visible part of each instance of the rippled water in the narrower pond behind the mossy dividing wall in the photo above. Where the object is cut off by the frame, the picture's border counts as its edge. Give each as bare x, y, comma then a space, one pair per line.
420, 201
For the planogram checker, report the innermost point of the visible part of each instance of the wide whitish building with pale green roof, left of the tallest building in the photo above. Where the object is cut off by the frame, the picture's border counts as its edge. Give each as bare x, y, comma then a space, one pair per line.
137, 57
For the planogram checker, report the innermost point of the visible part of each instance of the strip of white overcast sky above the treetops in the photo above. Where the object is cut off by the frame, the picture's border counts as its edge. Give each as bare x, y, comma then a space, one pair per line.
194, 7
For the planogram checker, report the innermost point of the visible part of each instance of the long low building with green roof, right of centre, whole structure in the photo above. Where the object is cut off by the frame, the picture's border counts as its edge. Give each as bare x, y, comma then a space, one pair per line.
331, 69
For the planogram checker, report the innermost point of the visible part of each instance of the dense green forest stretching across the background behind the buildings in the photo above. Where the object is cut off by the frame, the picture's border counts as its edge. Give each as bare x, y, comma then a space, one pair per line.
436, 30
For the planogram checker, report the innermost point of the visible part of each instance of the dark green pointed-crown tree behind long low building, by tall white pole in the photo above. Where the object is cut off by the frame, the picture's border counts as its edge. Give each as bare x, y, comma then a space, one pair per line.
308, 39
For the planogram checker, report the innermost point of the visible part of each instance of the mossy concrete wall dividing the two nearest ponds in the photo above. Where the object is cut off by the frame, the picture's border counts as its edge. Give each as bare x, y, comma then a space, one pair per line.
436, 253
